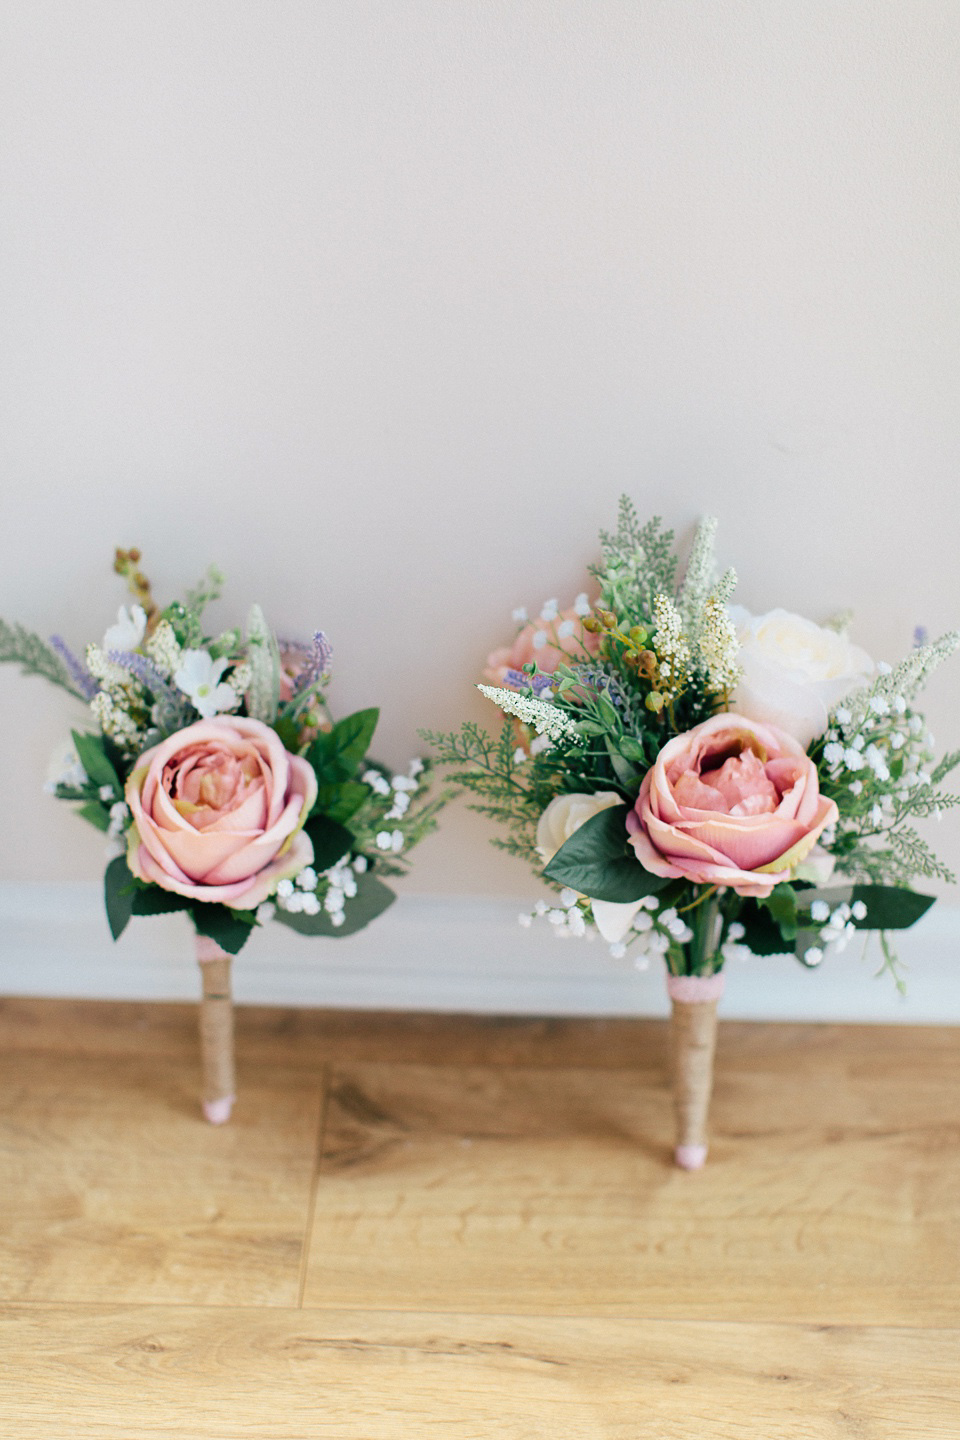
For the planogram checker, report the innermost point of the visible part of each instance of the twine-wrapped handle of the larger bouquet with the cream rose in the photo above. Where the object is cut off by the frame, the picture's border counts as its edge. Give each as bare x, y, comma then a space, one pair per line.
694, 1042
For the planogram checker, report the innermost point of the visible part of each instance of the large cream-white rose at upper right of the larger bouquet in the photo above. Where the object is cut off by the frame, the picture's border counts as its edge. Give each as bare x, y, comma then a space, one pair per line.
794, 672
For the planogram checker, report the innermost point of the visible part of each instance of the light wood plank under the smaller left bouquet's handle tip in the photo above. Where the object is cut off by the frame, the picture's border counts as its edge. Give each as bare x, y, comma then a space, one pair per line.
114, 1187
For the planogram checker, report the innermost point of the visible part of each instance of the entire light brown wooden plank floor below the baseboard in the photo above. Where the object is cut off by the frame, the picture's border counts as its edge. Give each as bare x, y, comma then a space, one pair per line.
467, 1229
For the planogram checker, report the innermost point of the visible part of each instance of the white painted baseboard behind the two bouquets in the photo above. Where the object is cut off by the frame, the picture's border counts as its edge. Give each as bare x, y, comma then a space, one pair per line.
450, 954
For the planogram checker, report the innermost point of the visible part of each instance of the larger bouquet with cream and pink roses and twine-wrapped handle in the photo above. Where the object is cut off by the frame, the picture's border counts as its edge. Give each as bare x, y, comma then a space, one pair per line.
697, 783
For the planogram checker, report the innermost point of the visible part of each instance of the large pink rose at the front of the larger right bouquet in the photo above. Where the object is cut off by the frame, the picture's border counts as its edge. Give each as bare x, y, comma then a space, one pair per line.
732, 803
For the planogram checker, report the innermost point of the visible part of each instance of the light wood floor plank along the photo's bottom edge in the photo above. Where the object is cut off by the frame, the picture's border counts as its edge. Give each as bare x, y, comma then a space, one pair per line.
222, 1374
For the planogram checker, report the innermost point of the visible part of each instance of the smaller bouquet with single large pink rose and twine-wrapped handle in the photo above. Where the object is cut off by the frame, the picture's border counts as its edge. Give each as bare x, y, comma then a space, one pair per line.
224, 786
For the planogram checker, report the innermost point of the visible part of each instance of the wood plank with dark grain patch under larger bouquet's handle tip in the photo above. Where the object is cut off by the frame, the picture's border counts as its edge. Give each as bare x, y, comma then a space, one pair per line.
833, 1193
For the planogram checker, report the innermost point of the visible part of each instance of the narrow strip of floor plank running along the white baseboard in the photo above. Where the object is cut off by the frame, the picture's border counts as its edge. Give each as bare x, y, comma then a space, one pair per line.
312, 1038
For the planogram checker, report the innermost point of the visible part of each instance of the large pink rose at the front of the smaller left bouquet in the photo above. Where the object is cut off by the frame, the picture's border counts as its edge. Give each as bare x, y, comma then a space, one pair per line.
218, 813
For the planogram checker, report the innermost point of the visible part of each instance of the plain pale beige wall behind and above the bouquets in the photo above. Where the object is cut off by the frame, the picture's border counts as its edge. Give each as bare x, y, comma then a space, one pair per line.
381, 306
